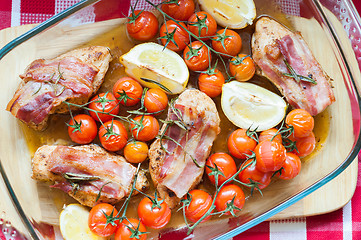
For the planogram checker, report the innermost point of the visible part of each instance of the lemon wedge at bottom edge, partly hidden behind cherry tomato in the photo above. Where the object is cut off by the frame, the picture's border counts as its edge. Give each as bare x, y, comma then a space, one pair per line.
74, 223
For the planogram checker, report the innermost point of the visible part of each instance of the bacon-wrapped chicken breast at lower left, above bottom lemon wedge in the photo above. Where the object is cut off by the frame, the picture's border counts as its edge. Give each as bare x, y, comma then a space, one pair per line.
109, 173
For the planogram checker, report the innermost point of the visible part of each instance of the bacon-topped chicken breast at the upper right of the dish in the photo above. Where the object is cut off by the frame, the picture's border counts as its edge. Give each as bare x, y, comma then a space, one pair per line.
272, 44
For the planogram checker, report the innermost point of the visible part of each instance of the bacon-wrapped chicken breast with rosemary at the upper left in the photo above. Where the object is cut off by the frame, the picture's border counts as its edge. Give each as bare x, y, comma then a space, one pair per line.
74, 77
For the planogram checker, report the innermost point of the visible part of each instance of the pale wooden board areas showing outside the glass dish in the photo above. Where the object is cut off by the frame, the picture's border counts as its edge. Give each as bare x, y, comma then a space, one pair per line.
321, 201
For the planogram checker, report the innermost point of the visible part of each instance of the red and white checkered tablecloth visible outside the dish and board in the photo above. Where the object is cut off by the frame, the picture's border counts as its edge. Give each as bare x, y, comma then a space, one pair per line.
341, 224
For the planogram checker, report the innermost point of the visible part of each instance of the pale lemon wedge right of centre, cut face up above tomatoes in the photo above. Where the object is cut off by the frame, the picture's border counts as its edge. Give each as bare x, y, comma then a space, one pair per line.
247, 105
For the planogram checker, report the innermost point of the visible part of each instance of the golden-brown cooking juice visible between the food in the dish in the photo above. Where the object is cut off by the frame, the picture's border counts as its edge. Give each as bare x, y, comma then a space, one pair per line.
119, 43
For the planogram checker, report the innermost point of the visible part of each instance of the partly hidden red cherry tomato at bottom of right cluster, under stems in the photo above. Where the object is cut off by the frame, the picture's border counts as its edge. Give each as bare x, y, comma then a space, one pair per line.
251, 172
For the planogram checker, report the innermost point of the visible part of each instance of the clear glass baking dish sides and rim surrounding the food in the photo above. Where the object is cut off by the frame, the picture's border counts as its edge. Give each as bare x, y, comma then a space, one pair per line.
96, 22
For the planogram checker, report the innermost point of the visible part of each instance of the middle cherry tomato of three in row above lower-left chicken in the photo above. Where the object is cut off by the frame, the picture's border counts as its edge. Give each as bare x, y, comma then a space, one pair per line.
113, 135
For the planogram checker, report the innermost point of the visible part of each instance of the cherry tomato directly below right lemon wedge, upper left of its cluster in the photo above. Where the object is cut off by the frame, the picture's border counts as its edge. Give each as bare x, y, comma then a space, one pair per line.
239, 144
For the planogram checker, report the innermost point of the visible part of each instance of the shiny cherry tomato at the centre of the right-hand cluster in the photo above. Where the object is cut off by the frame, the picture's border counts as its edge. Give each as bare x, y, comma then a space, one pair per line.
270, 156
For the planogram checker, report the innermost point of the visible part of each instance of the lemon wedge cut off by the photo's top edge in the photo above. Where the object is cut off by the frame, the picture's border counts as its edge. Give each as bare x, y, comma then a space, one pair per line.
235, 14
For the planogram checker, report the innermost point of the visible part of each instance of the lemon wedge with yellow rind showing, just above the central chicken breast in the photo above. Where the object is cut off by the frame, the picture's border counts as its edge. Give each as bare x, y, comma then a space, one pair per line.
153, 62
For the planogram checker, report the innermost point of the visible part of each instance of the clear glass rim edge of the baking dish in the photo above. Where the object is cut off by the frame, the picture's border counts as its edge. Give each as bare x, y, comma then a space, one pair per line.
351, 157
